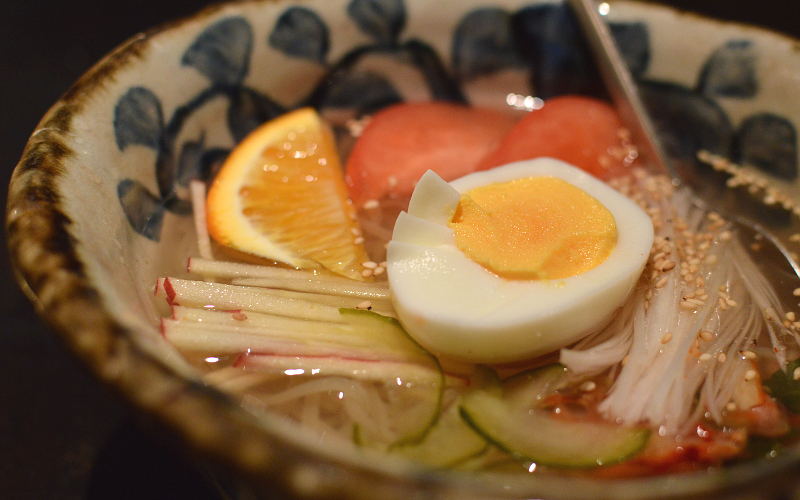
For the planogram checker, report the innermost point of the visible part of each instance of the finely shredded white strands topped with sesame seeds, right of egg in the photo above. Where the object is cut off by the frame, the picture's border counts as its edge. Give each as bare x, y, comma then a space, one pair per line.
698, 279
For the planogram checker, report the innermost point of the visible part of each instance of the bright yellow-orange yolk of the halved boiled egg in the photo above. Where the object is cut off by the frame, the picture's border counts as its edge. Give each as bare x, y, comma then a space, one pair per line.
533, 228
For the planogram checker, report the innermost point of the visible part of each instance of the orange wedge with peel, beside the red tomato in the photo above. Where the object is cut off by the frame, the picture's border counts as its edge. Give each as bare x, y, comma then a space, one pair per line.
281, 195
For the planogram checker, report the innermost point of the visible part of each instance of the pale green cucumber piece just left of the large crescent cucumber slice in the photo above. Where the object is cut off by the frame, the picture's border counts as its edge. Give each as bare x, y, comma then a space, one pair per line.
450, 442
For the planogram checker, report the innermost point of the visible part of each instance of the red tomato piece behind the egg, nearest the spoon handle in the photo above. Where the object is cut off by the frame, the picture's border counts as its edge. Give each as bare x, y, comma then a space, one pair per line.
582, 131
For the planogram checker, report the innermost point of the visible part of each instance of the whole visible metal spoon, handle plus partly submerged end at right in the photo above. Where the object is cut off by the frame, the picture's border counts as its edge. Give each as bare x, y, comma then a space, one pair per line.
634, 115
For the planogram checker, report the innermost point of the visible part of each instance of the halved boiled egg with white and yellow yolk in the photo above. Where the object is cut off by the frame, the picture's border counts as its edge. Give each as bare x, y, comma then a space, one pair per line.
511, 263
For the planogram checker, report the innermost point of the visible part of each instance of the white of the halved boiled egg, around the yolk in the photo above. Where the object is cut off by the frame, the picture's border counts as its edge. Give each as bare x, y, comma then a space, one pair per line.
455, 307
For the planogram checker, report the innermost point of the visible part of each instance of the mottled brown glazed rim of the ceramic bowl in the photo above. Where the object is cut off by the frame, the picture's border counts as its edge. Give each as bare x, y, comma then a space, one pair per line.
49, 270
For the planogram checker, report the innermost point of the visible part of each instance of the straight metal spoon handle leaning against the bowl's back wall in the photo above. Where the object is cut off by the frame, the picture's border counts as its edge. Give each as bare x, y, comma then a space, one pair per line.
620, 84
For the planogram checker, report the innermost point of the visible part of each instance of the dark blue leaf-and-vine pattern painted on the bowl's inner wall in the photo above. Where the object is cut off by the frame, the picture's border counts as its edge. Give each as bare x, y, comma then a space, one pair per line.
542, 41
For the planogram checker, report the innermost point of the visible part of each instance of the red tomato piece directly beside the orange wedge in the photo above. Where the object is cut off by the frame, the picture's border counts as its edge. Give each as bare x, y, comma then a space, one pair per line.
402, 142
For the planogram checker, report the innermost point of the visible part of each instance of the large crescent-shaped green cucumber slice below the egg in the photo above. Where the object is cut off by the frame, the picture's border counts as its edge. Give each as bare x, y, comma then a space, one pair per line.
507, 417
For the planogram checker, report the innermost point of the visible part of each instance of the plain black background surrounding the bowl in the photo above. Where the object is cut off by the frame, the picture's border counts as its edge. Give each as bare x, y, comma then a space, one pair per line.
62, 434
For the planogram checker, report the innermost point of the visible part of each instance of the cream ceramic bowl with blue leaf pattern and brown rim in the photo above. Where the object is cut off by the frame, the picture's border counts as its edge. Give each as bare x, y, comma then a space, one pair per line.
98, 203
